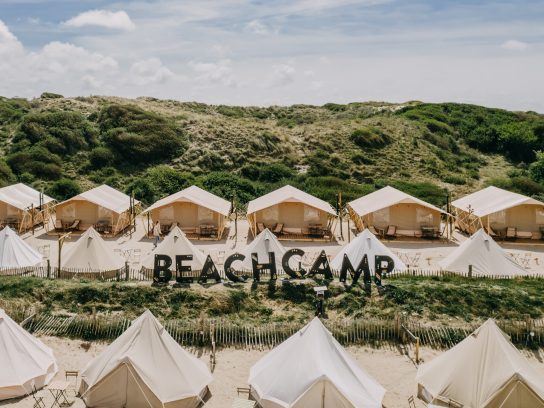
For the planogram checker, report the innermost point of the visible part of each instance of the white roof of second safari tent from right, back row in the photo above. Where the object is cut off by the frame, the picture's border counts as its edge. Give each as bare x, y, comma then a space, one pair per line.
386, 197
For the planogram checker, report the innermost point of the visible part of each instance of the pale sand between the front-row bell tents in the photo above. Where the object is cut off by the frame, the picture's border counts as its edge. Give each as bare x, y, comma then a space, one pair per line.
393, 367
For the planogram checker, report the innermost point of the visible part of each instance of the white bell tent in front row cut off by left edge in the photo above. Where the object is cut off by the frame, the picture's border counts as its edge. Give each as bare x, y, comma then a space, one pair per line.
25, 362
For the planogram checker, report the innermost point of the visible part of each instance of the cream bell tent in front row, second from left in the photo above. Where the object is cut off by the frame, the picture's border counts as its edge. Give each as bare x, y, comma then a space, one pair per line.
145, 367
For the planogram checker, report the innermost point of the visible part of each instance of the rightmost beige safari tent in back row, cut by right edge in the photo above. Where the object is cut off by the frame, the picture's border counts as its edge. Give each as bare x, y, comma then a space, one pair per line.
503, 214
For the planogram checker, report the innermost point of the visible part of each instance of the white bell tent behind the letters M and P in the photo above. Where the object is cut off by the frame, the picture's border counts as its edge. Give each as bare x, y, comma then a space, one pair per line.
365, 243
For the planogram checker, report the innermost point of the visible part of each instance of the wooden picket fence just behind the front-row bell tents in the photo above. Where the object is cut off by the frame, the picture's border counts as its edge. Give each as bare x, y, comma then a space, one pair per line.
225, 333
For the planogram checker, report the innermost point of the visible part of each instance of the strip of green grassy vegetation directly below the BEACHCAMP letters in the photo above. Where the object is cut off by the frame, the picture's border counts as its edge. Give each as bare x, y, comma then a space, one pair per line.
428, 299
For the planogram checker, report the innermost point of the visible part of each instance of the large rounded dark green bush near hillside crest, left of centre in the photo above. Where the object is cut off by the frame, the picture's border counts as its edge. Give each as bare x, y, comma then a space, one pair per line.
131, 133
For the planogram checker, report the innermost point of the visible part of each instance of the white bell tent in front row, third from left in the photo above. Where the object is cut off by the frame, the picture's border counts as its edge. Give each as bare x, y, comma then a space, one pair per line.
291, 371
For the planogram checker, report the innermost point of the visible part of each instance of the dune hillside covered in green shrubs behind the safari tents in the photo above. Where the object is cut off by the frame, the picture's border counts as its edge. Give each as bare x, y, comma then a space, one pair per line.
155, 147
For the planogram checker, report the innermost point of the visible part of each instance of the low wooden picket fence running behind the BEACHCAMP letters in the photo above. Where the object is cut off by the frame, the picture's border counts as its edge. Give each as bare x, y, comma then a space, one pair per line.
146, 275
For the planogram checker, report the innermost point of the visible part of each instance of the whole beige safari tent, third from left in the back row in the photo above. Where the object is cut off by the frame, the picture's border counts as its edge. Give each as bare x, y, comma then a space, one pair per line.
198, 213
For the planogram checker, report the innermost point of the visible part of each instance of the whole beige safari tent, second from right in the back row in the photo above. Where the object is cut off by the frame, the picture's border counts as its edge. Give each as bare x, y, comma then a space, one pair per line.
391, 213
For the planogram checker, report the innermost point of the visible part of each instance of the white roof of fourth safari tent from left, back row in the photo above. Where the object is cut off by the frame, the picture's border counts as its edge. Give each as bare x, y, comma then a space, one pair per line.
288, 194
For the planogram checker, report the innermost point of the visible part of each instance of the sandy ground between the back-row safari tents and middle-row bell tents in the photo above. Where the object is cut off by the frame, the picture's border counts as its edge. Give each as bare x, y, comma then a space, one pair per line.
422, 254
